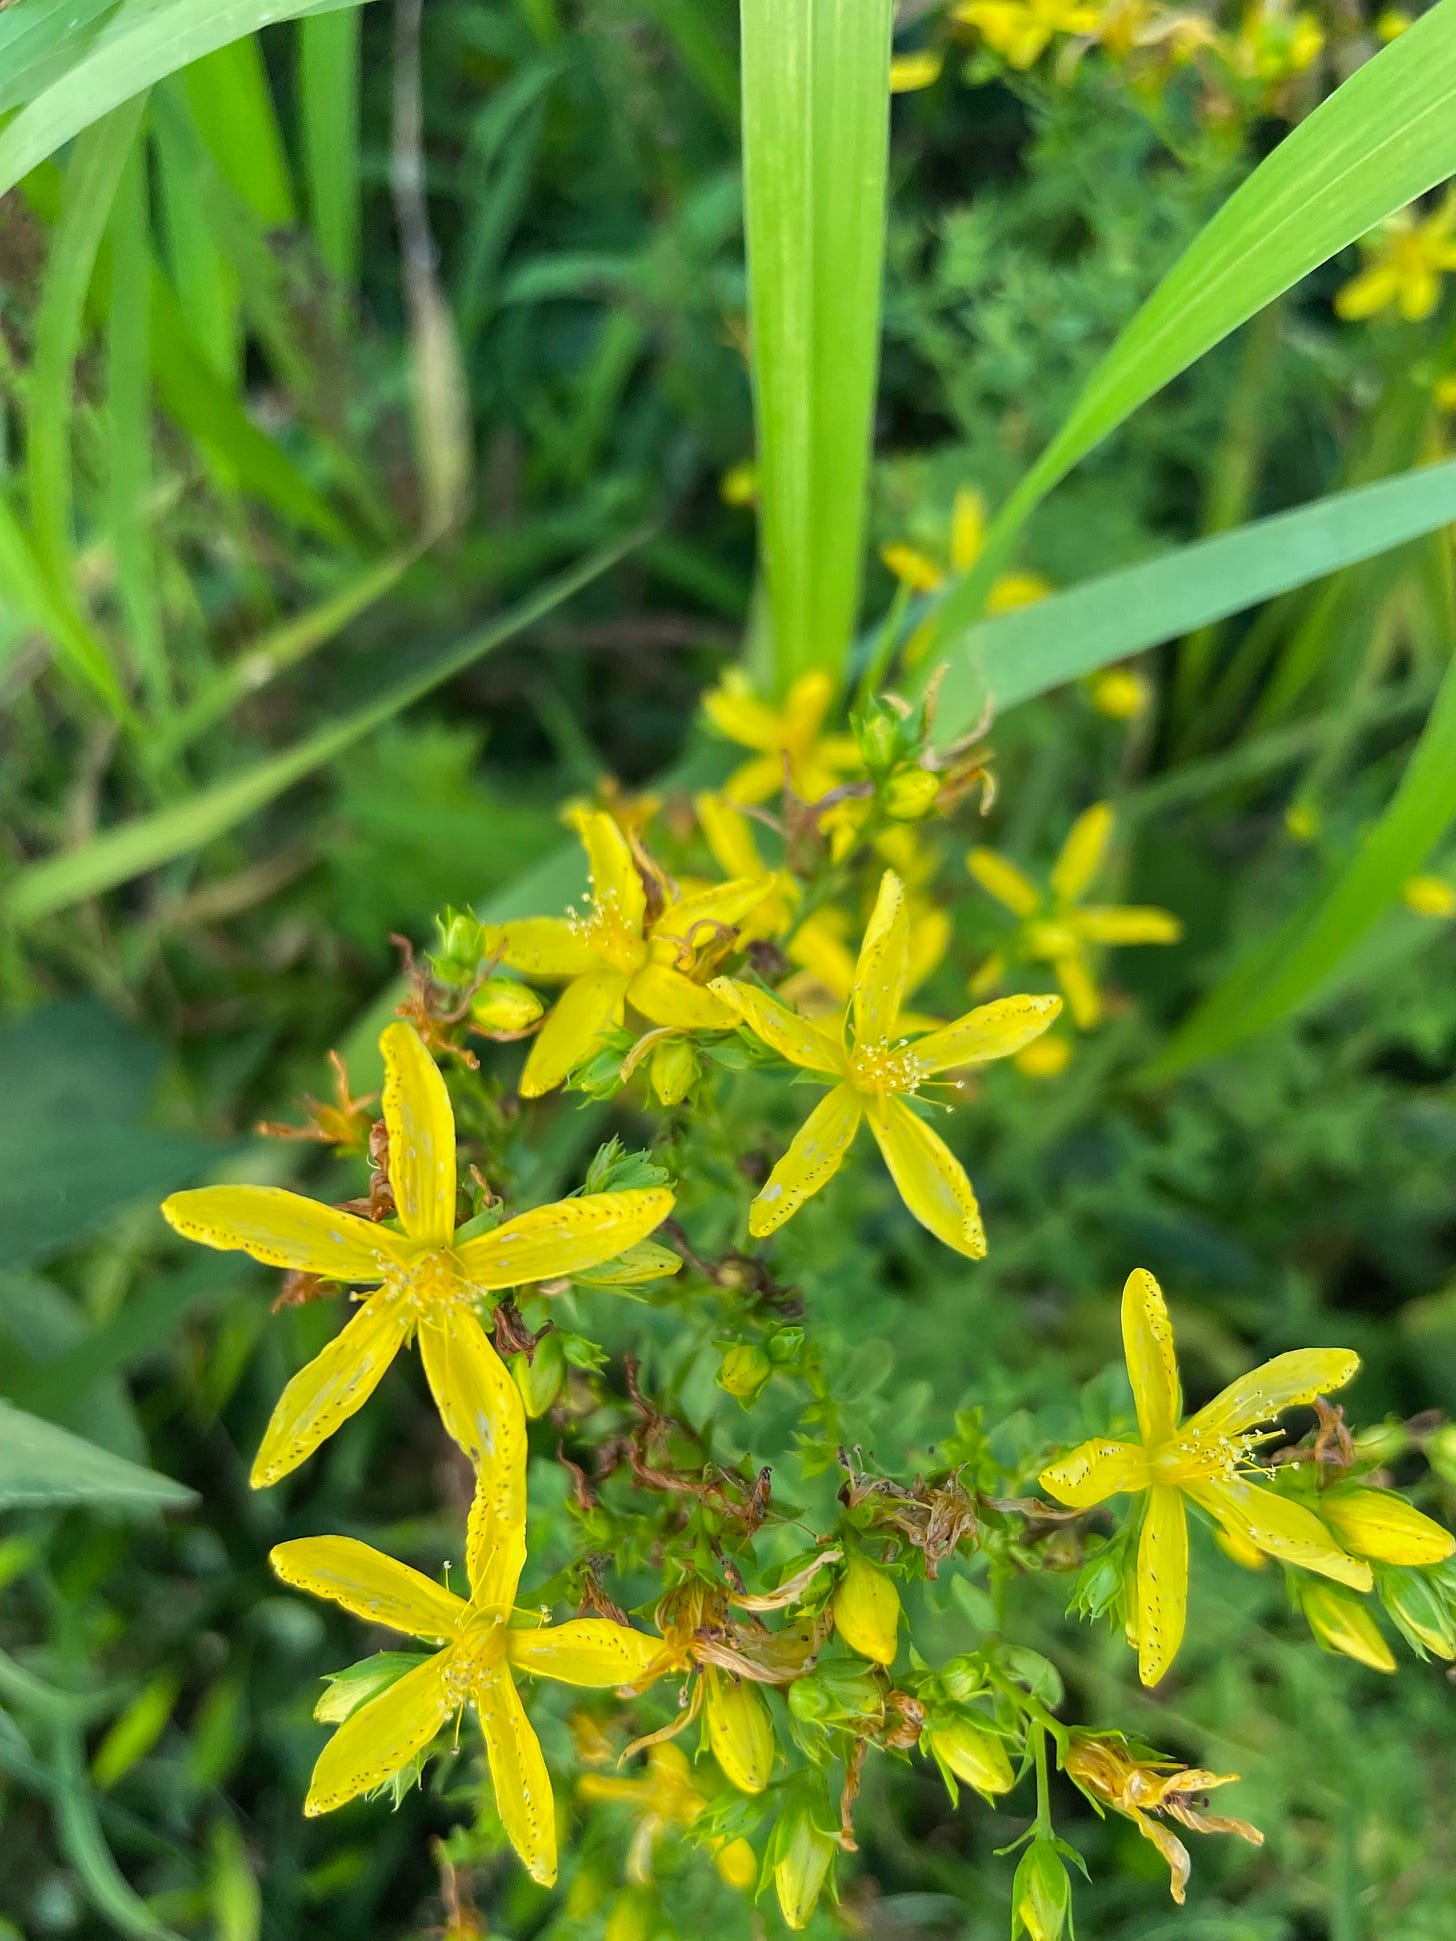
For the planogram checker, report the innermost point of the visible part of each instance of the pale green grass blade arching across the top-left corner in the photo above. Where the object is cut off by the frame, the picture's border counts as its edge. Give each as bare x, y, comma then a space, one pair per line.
137, 46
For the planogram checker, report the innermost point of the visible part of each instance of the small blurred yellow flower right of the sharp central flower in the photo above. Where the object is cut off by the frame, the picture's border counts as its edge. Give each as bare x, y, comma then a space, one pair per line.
1061, 929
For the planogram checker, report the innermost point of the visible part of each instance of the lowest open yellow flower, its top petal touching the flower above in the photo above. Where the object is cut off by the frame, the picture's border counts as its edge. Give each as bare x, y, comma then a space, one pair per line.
480, 1651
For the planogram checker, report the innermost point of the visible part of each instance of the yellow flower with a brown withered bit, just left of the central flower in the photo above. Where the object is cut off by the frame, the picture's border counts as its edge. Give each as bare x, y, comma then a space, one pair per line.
614, 956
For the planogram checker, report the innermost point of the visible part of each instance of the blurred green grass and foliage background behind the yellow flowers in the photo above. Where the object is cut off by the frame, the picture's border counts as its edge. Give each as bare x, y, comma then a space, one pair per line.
366, 395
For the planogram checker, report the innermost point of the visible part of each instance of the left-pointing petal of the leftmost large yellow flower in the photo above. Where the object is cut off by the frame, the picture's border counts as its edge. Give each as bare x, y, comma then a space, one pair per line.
286, 1232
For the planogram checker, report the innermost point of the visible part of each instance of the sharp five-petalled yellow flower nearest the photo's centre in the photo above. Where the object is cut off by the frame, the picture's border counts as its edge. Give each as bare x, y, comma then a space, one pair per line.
875, 1078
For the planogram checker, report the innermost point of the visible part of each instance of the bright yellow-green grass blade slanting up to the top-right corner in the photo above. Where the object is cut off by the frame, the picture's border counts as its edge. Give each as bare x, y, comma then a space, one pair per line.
1379, 143
